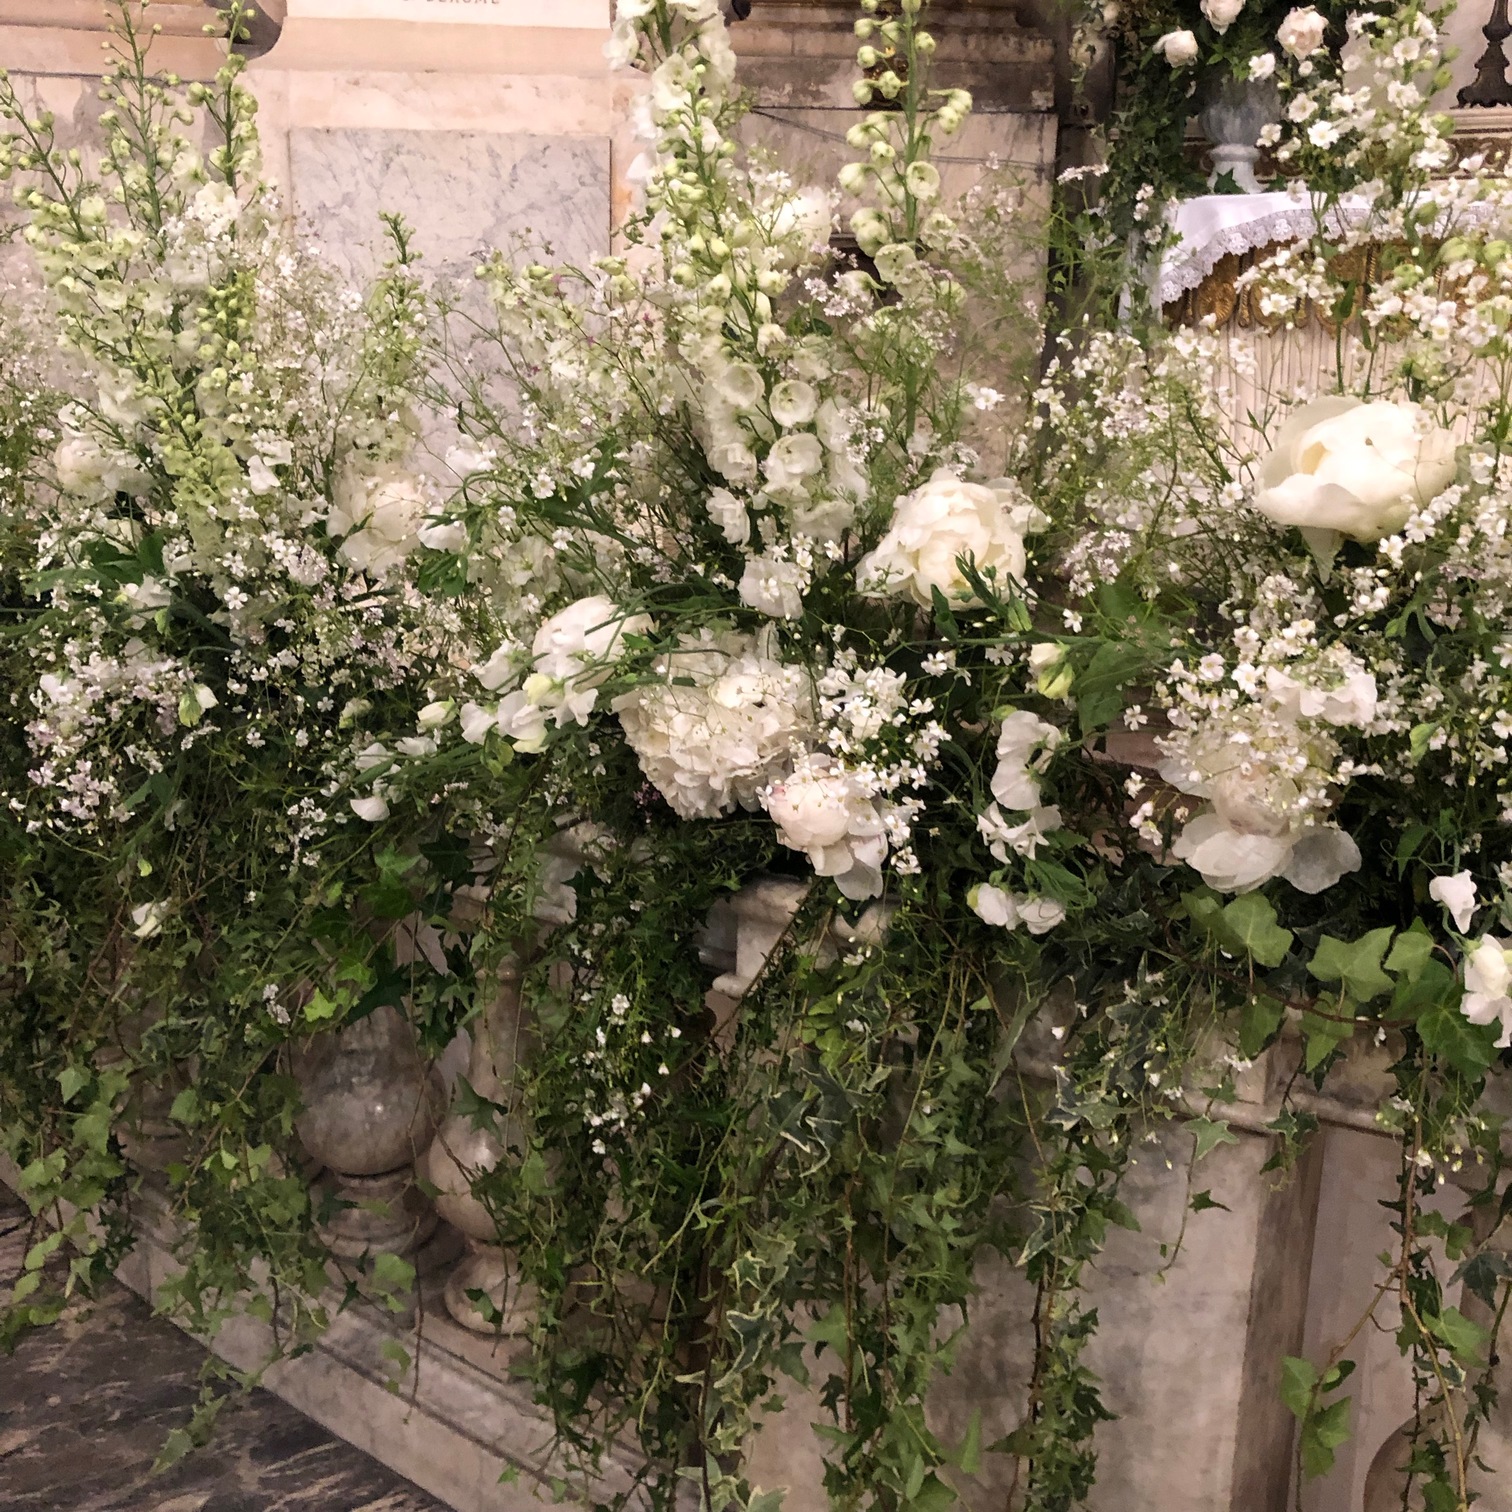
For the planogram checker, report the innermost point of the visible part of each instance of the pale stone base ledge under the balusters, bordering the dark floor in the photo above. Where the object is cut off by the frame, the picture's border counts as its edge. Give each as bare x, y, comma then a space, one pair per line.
457, 1422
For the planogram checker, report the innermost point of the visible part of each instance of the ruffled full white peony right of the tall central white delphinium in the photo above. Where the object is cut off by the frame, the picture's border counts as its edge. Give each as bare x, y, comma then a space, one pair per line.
938, 525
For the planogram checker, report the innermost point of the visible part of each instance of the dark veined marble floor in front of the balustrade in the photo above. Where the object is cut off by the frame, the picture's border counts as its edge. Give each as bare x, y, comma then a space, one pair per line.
85, 1408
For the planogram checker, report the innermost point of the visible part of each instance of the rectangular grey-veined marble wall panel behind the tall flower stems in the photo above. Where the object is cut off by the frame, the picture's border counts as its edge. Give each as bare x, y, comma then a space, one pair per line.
463, 193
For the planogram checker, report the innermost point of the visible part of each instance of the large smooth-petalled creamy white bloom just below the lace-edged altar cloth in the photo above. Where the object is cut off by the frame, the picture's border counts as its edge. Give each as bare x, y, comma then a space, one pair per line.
1346, 468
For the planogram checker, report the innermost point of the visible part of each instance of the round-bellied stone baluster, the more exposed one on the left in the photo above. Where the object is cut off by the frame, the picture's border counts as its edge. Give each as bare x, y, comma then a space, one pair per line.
371, 1106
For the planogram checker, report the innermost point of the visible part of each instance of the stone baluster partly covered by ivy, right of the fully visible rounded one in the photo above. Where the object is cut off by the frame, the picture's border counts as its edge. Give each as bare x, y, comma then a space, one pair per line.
463, 1151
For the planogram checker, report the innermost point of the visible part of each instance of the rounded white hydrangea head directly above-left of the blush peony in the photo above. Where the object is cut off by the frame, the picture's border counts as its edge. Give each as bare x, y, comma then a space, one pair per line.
722, 728
